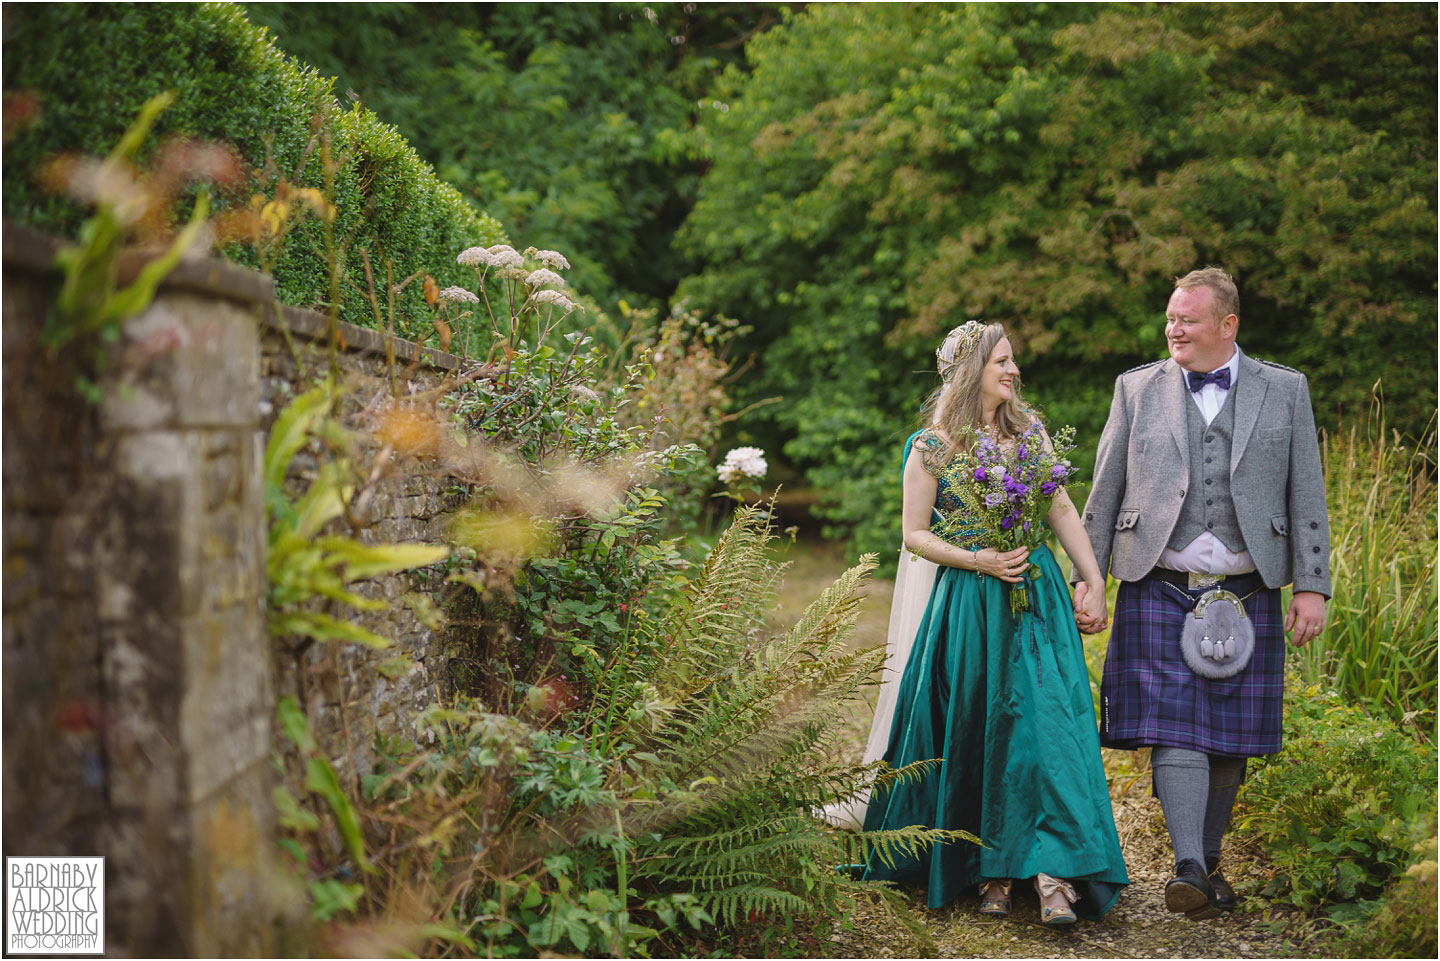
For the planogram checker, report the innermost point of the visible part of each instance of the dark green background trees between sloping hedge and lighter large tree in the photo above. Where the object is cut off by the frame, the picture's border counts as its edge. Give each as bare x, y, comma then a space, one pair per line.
562, 122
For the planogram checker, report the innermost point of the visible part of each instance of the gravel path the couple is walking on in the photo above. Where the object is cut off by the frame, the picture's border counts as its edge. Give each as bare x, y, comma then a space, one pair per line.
1138, 927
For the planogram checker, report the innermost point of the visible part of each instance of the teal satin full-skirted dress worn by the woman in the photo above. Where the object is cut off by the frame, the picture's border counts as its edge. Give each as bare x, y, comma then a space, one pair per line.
1006, 702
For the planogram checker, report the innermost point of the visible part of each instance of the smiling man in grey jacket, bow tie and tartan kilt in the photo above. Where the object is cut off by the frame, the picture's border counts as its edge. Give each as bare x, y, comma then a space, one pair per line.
1207, 478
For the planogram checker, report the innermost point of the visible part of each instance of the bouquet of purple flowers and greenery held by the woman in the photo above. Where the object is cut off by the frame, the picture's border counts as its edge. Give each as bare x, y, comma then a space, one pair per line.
1006, 495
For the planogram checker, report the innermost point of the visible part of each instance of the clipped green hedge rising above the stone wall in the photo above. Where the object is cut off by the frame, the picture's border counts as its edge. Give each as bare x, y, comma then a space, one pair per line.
91, 67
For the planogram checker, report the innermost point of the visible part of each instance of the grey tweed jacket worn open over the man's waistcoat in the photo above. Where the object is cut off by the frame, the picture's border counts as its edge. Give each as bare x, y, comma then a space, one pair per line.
1143, 469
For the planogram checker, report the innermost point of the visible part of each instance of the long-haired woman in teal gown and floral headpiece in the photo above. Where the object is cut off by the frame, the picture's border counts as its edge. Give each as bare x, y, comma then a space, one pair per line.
1013, 721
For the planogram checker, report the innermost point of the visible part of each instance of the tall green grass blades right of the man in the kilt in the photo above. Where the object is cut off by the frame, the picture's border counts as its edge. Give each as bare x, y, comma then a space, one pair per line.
1379, 648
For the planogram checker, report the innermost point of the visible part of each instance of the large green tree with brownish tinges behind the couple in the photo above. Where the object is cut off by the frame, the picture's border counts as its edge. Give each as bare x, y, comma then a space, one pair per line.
886, 172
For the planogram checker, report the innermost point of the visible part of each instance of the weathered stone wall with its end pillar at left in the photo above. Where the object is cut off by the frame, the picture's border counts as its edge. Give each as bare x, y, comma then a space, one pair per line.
140, 682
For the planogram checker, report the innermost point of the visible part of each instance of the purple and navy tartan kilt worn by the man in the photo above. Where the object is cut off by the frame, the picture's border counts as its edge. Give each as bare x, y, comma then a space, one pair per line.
1148, 697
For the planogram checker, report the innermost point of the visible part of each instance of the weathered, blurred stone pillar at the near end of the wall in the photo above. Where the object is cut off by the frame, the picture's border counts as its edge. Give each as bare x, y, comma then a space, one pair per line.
182, 620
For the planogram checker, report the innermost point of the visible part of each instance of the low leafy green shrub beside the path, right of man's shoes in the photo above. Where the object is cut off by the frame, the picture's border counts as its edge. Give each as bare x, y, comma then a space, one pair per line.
1341, 810
